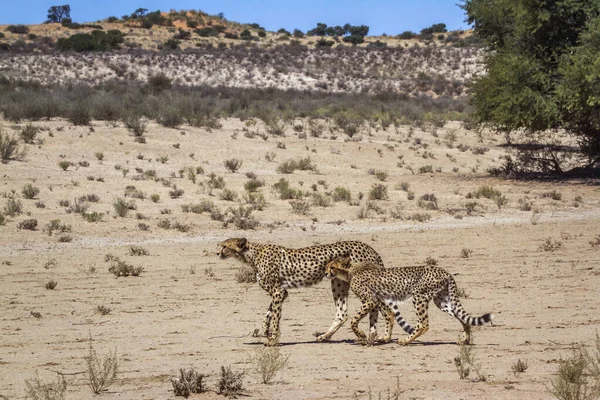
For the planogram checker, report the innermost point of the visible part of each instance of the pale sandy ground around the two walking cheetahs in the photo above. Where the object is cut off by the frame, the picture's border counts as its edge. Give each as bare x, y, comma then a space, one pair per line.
187, 310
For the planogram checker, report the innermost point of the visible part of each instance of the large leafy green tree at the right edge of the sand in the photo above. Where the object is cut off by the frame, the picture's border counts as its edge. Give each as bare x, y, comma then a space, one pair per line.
543, 74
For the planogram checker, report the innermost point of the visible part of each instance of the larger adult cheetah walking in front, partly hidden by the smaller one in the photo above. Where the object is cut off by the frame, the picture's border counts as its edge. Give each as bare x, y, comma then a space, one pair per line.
280, 268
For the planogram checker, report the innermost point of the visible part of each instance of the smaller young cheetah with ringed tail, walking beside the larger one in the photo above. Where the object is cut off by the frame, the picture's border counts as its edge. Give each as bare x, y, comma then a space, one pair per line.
386, 288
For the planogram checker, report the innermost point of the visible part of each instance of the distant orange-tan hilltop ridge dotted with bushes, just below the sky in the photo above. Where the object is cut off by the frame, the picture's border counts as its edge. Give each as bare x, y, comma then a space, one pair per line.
195, 29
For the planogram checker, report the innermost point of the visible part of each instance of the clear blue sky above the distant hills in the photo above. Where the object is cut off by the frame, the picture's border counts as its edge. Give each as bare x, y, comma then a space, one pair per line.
383, 16
